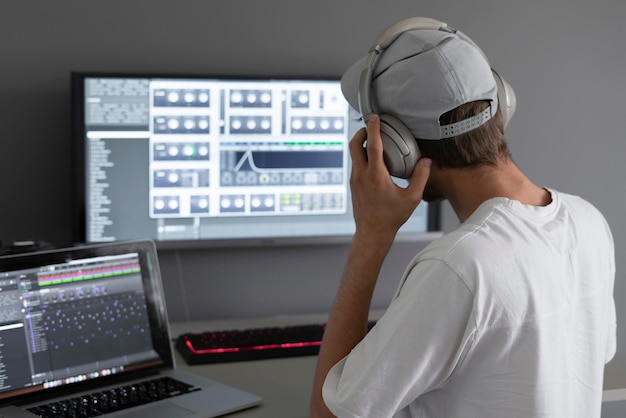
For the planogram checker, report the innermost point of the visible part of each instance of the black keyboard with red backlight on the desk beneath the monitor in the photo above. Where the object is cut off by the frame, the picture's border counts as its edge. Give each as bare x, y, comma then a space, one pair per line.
251, 344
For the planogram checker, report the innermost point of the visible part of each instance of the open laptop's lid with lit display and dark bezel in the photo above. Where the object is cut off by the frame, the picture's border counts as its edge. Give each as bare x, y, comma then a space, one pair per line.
71, 316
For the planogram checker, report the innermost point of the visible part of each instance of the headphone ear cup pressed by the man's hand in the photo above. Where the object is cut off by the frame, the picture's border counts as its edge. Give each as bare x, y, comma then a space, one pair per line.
400, 151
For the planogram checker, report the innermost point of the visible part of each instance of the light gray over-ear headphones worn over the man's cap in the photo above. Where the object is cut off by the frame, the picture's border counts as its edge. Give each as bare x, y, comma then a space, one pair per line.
400, 149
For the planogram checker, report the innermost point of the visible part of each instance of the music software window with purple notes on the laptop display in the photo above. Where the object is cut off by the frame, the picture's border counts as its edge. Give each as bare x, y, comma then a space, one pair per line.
69, 319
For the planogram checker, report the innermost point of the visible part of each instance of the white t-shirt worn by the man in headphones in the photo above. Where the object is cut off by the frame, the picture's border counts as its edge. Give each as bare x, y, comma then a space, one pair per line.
511, 315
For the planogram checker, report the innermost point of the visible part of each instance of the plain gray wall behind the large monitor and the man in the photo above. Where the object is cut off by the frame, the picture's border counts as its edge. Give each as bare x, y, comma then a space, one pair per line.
565, 59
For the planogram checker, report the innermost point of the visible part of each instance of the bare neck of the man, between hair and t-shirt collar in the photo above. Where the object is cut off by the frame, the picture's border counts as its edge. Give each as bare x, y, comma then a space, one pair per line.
468, 188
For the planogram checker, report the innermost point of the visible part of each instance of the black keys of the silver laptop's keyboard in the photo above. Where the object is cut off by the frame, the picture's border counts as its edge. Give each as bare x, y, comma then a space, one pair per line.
116, 399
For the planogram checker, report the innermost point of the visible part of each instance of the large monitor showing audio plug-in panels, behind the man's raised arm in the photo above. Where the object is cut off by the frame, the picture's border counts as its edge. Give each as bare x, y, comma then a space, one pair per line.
194, 161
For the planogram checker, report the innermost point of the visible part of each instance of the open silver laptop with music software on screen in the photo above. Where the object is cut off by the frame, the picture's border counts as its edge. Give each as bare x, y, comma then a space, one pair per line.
86, 327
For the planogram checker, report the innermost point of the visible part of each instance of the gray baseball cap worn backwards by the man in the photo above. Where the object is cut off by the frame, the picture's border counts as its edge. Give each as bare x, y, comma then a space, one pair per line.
423, 74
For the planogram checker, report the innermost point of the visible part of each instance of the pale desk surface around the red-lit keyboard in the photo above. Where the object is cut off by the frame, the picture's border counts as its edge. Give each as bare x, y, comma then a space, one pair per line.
285, 384
